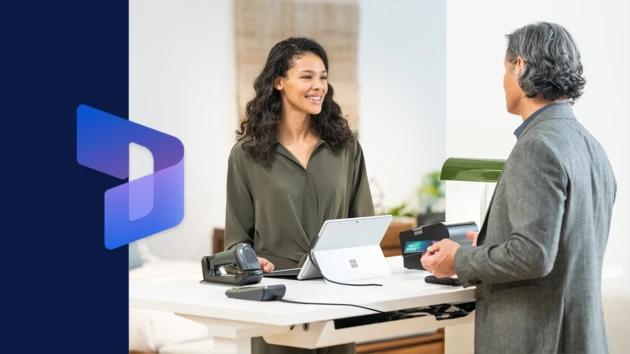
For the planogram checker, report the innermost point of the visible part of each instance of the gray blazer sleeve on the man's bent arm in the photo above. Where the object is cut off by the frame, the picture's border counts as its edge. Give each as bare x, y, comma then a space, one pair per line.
536, 192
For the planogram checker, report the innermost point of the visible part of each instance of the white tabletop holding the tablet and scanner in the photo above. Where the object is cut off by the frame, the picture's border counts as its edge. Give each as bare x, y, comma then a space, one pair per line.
404, 289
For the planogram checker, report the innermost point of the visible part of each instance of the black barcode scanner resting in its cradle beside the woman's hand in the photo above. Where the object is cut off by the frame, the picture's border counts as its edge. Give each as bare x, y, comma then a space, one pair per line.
242, 257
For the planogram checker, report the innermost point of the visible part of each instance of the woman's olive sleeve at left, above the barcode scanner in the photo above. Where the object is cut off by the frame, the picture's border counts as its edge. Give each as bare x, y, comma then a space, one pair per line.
239, 218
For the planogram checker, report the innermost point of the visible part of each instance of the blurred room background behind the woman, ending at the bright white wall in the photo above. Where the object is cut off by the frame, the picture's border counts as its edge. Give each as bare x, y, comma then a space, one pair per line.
192, 67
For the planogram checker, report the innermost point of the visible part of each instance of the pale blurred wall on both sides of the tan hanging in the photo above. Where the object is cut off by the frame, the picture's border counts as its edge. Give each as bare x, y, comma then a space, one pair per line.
182, 75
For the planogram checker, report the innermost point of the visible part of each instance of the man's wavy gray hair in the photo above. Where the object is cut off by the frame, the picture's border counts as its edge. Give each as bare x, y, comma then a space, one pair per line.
552, 67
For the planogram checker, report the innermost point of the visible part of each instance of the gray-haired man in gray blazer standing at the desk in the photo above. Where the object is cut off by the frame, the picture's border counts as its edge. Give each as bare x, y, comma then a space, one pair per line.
537, 260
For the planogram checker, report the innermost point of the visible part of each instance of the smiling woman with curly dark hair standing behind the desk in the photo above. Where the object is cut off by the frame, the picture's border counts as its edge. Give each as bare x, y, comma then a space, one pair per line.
296, 164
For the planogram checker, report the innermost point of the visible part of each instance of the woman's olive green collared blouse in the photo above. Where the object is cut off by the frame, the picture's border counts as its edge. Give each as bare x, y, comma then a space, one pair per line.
279, 209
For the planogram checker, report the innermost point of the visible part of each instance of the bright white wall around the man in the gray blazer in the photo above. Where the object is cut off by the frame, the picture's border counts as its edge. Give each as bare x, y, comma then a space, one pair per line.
478, 125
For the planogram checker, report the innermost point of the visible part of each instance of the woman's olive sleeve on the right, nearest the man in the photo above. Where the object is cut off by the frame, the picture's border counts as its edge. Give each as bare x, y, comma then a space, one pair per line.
361, 203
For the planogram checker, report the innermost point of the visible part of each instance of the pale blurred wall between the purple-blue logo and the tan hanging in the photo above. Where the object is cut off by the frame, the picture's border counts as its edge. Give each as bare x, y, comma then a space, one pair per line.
182, 82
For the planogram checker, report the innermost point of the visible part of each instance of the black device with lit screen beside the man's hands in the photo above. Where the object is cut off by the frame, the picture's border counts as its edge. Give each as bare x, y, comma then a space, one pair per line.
414, 242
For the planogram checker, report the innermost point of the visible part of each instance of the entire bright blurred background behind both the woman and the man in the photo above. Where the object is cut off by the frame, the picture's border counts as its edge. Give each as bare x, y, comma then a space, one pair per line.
420, 81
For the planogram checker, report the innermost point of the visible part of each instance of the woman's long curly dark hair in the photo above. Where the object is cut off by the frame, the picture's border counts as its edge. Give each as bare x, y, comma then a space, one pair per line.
263, 112
